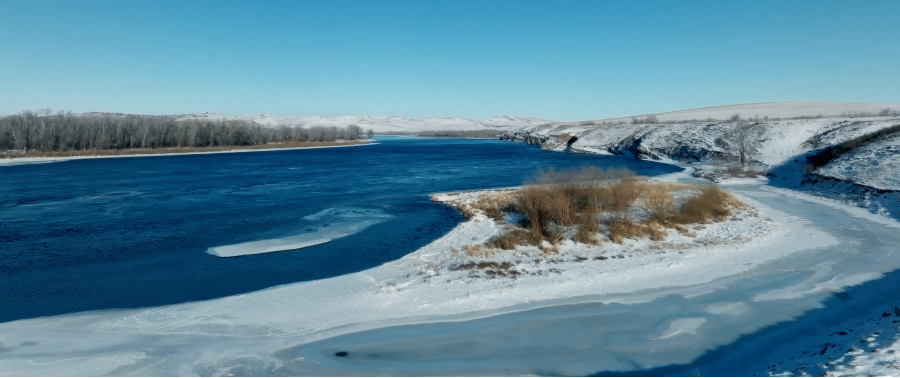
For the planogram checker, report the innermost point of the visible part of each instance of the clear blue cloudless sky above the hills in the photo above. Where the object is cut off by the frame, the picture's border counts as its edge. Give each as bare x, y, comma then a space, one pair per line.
557, 60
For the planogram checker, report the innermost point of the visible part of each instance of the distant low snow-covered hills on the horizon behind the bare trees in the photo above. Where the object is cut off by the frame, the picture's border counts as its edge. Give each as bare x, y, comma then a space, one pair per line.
382, 124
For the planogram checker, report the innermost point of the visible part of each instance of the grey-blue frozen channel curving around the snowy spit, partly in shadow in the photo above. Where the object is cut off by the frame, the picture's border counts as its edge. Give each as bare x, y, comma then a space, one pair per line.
730, 326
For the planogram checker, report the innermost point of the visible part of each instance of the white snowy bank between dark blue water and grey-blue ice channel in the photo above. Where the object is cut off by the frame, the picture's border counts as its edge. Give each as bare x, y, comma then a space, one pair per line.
247, 331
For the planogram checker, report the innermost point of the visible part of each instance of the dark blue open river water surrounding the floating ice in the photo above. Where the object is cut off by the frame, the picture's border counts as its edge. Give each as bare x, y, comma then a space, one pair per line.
133, 232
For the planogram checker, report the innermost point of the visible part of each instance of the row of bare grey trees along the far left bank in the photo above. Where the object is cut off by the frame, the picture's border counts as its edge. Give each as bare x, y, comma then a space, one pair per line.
44, 130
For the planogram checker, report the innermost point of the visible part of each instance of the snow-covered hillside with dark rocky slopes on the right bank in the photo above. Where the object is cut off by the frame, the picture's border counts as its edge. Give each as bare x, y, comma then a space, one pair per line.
861, 175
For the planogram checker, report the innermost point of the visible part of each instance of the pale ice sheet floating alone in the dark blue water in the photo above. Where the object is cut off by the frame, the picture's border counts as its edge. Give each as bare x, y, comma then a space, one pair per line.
327, 225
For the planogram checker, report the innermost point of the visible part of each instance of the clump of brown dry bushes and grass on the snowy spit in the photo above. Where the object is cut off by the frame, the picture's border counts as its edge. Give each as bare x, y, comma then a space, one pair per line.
586, 202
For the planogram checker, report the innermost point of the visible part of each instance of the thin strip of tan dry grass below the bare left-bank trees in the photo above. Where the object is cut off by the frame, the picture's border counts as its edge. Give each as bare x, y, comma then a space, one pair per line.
182, 150
